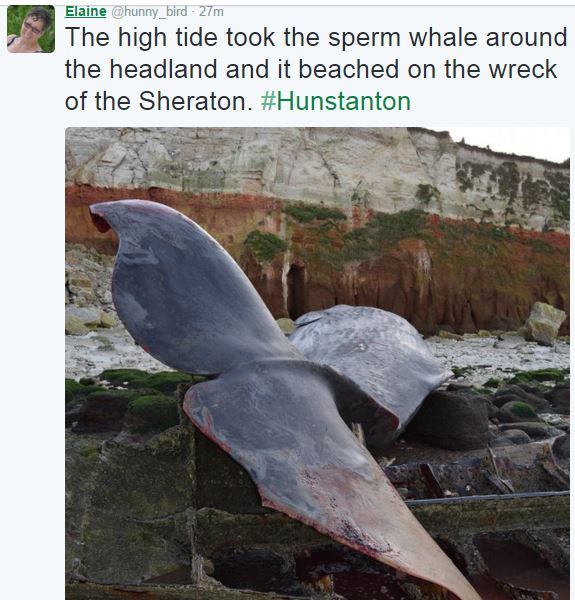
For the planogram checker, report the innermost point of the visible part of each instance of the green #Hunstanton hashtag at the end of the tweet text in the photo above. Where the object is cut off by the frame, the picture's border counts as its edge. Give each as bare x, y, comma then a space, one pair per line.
283, 100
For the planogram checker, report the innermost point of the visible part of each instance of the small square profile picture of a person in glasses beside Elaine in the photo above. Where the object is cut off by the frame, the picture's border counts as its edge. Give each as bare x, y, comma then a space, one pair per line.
30, 29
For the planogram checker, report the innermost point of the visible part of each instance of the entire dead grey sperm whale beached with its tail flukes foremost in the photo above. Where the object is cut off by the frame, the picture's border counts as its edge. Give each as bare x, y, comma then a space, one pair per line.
285, 418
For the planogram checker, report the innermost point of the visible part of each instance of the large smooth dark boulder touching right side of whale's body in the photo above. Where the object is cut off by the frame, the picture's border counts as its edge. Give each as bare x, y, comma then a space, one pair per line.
457, 420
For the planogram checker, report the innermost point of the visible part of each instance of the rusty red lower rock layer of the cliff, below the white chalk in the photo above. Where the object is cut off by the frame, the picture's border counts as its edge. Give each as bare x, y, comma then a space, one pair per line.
452, 274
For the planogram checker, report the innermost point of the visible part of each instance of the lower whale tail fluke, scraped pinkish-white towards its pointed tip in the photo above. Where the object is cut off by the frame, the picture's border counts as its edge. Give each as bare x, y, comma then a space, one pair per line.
278, 419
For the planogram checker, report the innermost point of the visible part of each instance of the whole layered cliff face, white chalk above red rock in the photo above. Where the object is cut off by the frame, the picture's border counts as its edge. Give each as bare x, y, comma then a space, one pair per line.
404, 219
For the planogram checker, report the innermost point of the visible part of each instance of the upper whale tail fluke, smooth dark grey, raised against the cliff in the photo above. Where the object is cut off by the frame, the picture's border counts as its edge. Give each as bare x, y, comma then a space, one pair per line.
181, 296
